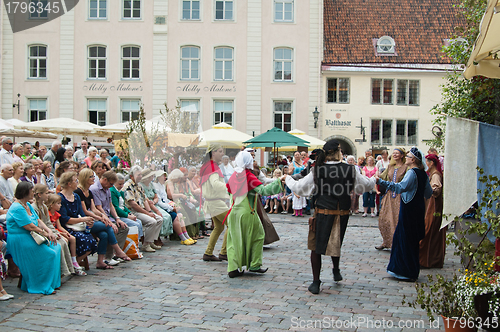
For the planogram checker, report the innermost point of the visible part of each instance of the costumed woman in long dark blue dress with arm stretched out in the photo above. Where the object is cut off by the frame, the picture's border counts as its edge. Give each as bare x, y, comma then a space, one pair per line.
414, 189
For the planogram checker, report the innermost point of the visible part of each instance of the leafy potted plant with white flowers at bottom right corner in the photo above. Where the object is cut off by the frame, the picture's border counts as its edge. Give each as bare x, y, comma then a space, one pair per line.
471, 298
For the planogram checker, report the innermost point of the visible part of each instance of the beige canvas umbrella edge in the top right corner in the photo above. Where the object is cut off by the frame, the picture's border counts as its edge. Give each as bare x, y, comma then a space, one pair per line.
484, 59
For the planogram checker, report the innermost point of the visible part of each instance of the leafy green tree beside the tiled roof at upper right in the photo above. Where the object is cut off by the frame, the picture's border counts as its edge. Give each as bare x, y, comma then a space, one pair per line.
475, 99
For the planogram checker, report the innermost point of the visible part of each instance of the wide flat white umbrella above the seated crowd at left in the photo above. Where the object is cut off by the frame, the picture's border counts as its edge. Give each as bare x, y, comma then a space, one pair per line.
63, 126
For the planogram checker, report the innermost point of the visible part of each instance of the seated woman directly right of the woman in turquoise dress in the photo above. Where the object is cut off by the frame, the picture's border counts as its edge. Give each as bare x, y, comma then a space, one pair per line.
68, 258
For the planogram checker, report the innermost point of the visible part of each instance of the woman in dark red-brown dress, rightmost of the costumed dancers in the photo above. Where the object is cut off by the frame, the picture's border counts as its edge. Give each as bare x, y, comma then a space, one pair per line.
433, 246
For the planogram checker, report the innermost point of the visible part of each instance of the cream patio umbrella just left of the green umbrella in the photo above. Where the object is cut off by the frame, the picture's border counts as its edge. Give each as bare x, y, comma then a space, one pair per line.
223, 134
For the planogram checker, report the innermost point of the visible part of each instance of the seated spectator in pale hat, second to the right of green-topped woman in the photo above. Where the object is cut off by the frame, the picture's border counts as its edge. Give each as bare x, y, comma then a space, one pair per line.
153, 199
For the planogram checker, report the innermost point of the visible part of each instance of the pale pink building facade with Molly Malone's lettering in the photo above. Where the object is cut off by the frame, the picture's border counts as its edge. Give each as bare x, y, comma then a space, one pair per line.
253, 64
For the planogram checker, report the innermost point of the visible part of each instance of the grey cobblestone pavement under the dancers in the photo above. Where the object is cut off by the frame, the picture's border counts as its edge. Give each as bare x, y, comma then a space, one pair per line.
173, 289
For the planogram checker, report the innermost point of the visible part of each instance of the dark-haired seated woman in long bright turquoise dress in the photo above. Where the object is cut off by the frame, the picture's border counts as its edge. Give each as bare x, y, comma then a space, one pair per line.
40, 265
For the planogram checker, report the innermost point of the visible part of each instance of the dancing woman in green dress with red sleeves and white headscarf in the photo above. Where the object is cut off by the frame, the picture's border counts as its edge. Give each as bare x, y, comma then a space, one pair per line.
245, 238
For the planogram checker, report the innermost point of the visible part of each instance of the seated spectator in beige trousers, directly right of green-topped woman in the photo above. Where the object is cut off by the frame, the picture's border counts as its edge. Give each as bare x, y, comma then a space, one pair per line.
136, 202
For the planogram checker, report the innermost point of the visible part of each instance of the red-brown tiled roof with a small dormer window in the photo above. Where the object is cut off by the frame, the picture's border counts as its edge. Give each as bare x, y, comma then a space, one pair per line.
418, 28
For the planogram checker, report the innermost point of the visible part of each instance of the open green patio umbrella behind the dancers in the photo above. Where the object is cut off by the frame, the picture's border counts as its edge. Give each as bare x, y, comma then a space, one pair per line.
275, 138
